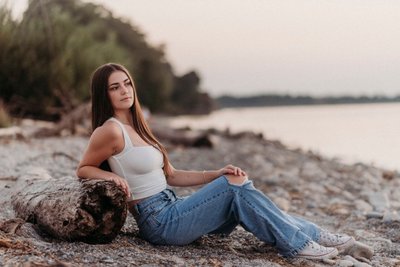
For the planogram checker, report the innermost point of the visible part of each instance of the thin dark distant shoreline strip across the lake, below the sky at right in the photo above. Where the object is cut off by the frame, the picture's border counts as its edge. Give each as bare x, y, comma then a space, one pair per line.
288, 100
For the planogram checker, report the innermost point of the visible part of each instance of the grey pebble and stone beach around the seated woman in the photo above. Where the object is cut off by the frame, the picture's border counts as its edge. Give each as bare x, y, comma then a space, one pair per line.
359, 200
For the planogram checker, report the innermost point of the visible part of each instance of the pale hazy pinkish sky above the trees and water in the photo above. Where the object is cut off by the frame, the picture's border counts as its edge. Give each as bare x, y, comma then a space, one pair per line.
317, 47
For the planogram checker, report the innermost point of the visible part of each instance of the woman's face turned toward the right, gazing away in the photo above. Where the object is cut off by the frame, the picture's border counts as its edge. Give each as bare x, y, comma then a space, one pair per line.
120, 90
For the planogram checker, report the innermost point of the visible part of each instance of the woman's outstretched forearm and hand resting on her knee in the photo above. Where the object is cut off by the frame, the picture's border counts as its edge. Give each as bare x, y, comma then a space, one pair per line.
192, 178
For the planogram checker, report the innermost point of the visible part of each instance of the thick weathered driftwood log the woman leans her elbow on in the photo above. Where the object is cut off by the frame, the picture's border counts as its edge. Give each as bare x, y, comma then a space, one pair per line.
92, 211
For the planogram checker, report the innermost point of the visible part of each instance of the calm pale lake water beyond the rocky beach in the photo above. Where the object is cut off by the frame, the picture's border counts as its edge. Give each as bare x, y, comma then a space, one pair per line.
368, 133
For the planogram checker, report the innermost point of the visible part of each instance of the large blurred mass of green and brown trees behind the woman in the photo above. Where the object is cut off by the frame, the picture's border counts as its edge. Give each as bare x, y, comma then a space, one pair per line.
47, 57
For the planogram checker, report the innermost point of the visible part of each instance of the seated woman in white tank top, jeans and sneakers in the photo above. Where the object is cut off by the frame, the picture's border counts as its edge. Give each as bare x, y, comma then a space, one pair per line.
139, 164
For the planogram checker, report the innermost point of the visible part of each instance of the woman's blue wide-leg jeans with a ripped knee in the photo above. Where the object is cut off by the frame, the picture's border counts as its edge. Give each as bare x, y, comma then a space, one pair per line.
219, 207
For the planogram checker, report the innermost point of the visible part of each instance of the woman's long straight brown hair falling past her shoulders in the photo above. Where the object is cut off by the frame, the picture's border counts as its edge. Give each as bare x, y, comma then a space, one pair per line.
102, 109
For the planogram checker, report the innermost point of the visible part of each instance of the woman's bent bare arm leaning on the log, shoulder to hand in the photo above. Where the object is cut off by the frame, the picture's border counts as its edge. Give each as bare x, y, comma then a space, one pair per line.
102, 144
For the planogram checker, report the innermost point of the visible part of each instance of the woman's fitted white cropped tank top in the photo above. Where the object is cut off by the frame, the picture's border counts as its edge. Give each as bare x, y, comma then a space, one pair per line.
141, 166
